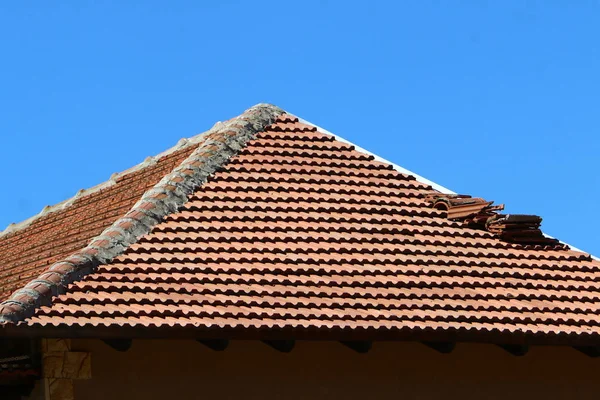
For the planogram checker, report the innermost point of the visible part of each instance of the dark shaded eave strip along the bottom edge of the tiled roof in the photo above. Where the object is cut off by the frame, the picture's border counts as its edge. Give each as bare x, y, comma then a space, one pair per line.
337, 333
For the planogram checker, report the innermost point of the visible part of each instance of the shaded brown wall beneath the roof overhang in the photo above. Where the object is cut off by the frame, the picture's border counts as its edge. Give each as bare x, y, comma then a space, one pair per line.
154, 369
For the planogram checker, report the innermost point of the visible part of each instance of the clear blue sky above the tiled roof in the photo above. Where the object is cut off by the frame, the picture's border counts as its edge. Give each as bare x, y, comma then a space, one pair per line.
498, 99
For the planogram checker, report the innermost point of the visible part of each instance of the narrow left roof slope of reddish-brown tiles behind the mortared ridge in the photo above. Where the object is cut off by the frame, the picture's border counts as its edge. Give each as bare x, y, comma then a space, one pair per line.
25, 253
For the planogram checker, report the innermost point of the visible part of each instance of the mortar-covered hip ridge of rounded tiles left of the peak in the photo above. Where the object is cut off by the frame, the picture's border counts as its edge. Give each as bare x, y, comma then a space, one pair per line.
217, 146
